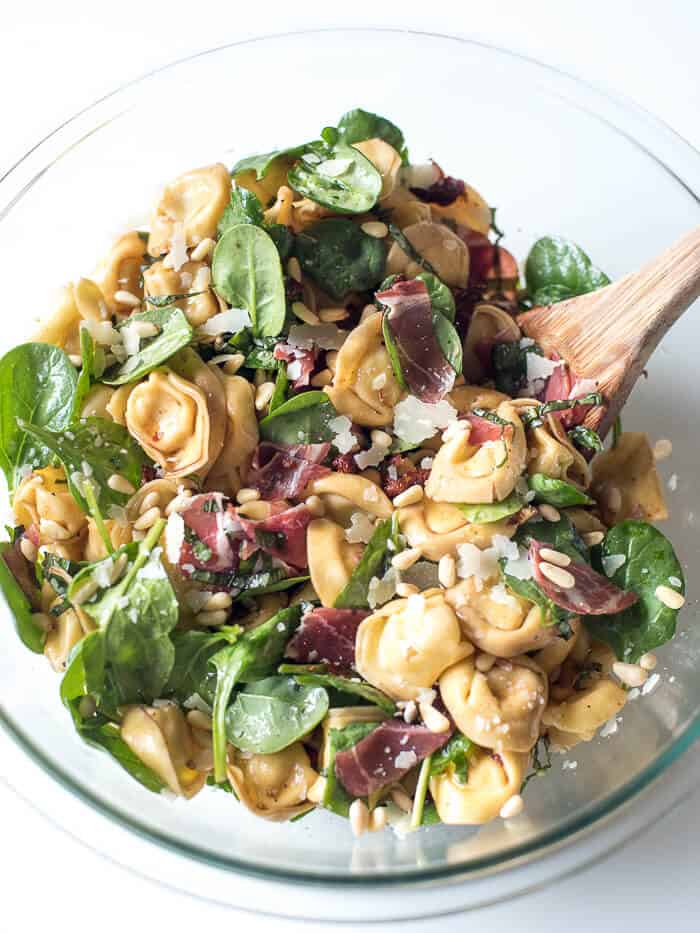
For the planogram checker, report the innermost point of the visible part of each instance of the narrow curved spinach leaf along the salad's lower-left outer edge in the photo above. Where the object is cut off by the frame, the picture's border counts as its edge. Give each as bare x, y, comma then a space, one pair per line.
96, 729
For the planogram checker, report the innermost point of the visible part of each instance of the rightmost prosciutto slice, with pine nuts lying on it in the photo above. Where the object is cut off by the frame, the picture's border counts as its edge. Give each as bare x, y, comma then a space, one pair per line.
591, 594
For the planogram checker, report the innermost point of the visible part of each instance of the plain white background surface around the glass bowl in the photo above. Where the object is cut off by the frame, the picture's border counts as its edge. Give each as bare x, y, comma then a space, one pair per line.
56, 58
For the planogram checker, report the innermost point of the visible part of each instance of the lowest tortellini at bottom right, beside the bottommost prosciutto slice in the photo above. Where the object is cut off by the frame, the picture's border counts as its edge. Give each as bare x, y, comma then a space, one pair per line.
492, 779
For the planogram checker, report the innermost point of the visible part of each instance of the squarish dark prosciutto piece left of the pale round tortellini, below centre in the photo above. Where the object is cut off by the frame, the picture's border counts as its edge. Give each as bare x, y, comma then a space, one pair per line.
327, 636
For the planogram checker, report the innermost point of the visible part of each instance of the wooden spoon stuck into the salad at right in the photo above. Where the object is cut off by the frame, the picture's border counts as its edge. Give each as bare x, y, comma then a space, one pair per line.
609, 335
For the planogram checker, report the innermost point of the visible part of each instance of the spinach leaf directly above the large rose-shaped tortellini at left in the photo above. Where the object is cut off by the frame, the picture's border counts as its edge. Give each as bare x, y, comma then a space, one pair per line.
174, 333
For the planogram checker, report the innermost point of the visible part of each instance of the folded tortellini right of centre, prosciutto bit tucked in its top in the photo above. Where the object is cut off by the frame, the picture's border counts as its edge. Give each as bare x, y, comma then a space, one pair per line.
468, 473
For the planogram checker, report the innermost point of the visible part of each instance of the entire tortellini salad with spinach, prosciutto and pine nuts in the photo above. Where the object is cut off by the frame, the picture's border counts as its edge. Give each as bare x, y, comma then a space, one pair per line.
300, 515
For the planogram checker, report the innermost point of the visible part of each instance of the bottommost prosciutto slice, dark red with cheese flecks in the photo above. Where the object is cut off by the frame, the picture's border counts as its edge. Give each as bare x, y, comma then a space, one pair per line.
385, 755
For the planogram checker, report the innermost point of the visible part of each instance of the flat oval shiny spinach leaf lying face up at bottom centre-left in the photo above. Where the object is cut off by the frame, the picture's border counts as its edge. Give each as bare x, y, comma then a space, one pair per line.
271, 714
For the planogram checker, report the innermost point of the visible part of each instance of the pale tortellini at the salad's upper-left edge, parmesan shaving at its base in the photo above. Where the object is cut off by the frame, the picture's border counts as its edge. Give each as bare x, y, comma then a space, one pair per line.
190, 206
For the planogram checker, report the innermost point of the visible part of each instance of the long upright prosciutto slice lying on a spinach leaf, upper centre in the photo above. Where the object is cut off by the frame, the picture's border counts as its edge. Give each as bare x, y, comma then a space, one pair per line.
410, 321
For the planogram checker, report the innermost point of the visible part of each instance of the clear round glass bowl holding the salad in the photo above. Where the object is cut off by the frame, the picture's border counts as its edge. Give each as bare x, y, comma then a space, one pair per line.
555, 156
